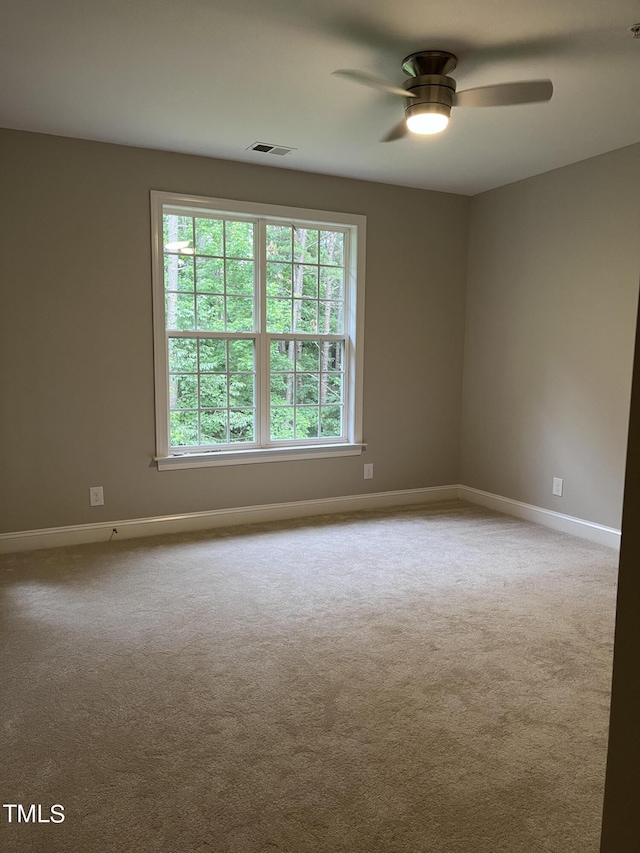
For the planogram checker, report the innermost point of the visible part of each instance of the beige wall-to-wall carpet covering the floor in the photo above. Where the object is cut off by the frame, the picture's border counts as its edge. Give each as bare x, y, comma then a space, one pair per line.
425, 680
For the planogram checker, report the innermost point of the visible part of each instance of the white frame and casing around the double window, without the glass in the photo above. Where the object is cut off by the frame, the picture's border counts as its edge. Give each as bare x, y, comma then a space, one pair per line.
354, 226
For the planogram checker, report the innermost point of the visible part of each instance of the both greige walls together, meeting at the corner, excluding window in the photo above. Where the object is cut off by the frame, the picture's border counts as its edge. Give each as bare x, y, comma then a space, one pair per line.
552, 281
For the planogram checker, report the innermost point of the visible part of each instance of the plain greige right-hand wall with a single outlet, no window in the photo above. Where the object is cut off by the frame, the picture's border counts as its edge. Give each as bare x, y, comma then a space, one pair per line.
551, 311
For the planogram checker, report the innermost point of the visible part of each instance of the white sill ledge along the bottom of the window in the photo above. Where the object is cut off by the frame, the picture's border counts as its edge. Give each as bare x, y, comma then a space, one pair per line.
247, 457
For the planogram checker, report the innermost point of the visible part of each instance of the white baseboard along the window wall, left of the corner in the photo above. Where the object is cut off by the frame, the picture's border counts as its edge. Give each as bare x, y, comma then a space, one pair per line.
80, 534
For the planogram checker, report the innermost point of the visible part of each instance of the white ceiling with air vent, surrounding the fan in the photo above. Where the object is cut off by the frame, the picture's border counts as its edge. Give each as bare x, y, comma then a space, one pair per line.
212, 77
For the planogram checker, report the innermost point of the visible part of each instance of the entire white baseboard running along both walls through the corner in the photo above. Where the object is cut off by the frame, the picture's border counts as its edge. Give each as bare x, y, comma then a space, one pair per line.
80, 534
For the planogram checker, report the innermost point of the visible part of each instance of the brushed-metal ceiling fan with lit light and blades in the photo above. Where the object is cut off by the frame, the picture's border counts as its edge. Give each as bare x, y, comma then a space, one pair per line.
430, 93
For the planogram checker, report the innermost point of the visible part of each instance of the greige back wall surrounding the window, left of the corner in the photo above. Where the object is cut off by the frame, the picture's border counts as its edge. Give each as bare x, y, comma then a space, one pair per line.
76, 359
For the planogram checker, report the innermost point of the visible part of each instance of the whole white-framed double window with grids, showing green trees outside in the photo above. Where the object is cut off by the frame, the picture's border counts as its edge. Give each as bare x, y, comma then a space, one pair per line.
258, 331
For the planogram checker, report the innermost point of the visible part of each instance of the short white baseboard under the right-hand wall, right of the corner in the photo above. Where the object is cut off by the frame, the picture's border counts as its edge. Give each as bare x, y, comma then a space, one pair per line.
566, 523
